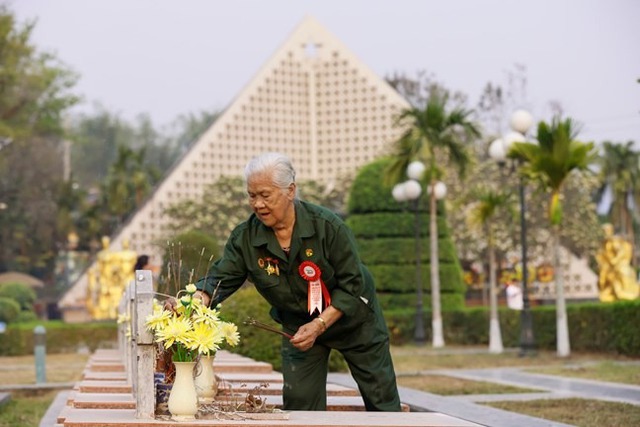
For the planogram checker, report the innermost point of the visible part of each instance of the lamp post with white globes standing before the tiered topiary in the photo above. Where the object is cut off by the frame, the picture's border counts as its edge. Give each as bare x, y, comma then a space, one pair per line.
410, 191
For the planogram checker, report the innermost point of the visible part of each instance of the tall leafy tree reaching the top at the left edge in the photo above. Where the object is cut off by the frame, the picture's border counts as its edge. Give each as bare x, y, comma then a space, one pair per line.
34, 94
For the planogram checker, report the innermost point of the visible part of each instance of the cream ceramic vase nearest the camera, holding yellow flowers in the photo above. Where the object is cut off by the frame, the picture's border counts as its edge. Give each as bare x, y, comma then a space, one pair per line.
183, 399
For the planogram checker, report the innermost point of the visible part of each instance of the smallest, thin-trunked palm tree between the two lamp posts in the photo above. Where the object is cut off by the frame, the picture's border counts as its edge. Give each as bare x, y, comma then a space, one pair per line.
489, 203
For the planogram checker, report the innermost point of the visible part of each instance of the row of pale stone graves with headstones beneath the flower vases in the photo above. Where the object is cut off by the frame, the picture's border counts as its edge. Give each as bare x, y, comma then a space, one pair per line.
121, 387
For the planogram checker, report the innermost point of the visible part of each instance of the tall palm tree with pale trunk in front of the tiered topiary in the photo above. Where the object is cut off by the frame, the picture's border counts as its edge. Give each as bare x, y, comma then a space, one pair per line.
431, 133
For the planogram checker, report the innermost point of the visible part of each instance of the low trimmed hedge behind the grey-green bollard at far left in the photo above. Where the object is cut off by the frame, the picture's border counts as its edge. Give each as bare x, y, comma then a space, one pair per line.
61, 337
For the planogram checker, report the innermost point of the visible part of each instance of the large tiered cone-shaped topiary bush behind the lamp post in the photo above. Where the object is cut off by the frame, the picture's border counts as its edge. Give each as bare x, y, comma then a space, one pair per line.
385, 232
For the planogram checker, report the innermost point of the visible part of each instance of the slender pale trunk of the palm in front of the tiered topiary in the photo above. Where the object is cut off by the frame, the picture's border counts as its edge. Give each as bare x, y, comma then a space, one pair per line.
436, 322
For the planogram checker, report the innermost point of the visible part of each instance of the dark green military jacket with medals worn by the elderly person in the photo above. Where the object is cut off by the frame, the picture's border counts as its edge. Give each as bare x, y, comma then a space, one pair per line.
253, 253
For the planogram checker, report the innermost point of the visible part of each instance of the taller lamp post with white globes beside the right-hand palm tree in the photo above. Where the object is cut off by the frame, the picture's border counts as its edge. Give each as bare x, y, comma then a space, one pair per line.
520, 122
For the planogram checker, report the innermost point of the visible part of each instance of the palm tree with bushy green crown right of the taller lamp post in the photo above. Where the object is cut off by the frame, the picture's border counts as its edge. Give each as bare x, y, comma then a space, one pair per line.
550, 162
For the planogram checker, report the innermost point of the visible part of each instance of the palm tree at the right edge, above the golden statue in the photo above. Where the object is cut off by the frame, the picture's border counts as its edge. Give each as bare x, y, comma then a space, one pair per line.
620, 175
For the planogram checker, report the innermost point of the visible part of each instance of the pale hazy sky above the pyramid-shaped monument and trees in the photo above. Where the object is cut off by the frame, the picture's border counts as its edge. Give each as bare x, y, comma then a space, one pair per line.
167, 58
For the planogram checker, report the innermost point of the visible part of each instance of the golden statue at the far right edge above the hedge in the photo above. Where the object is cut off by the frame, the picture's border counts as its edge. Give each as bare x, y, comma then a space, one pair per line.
617, 279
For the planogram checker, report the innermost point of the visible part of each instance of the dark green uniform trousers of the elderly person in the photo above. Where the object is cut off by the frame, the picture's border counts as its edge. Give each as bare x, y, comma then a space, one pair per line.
305, 376
